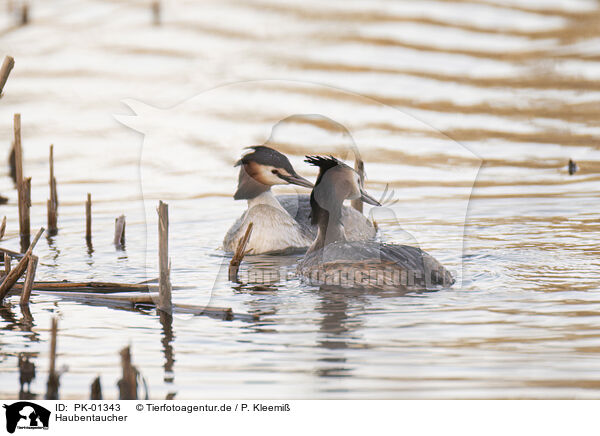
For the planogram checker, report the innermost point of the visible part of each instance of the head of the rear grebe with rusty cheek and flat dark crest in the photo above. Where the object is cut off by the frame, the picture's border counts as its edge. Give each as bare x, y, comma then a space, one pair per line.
262, 168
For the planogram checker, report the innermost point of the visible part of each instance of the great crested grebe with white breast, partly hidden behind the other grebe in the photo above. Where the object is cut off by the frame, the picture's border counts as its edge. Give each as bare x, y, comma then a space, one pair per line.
280, 223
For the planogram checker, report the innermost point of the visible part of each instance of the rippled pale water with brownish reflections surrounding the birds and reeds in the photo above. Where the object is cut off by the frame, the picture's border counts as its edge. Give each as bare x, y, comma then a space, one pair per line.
468, 109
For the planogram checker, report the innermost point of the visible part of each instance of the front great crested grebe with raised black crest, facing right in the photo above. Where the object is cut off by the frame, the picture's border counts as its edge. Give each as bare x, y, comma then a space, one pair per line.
332, 260
